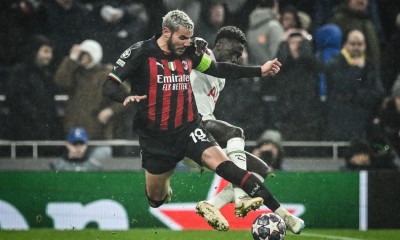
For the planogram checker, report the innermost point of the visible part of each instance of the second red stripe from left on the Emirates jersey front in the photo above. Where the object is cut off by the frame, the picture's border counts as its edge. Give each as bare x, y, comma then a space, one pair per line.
166, 103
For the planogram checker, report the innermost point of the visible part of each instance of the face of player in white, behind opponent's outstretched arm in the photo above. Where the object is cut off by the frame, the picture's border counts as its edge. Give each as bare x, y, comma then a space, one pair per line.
229, 51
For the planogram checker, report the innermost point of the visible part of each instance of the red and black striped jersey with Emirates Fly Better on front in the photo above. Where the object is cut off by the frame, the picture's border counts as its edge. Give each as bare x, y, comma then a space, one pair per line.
165, 79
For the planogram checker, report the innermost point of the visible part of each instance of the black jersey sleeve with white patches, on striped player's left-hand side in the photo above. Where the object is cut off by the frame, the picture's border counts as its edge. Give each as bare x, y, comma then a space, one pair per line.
127, 64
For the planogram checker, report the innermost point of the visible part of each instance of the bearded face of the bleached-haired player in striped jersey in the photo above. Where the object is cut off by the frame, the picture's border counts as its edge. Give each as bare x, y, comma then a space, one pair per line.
179, 40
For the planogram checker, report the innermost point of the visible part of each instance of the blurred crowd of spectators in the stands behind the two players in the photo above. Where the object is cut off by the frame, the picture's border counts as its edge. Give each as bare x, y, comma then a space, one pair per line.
339, 81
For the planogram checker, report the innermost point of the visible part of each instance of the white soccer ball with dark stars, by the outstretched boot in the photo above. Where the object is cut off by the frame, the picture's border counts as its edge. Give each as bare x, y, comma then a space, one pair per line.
268, 226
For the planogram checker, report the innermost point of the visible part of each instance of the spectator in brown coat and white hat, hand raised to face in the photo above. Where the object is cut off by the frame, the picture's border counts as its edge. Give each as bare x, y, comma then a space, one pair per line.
82, 75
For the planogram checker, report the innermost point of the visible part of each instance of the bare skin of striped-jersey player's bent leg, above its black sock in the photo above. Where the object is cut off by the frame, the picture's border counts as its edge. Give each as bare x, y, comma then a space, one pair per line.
157, 184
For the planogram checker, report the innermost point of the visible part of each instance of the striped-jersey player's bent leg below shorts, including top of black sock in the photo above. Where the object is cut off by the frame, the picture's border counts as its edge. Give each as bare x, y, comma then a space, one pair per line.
158, 190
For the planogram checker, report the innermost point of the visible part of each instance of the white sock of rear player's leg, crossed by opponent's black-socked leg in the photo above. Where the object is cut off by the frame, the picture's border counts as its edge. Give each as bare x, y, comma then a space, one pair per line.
235, 152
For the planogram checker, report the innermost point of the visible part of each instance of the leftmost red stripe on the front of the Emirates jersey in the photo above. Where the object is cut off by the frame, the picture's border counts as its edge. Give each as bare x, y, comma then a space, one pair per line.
152, 90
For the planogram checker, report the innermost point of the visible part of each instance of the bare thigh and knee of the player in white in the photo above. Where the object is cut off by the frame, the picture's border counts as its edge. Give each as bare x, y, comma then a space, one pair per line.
222, 131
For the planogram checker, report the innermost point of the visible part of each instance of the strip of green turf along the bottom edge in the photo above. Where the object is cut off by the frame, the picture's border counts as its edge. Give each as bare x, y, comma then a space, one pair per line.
162, 234
